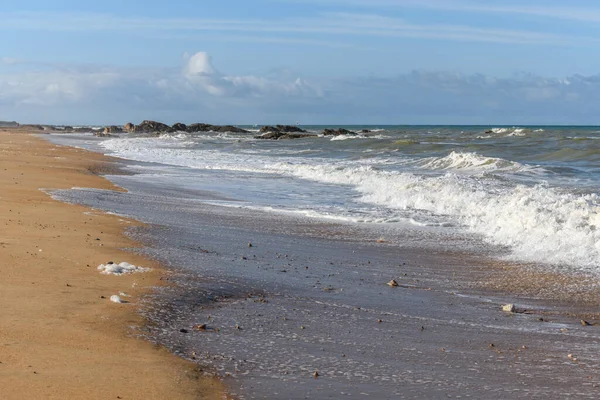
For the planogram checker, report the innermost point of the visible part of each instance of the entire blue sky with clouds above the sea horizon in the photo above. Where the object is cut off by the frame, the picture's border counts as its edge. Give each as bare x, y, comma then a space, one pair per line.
308, 61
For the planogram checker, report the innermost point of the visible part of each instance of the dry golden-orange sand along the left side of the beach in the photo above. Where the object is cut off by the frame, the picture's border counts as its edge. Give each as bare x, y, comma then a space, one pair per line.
59, 339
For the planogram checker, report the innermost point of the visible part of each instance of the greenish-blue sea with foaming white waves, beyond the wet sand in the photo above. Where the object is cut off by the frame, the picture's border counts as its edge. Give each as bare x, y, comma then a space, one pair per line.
532, 191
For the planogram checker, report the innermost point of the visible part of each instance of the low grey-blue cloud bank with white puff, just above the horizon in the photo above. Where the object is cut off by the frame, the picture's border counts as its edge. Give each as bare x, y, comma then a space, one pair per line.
198, 91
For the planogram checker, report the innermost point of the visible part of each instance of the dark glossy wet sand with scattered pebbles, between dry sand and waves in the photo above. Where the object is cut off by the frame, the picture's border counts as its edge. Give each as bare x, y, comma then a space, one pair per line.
311, 297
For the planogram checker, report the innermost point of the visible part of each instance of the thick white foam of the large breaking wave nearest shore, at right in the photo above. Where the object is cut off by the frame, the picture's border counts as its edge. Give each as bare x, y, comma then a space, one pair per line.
538, 223
